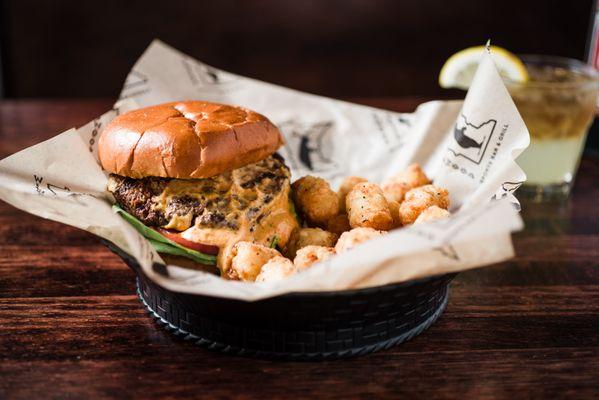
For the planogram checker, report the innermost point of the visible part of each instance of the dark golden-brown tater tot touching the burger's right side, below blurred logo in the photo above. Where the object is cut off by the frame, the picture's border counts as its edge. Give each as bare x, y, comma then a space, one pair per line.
315, 199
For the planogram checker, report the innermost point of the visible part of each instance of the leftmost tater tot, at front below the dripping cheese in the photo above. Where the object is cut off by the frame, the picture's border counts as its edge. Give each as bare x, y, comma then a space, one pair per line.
248, 259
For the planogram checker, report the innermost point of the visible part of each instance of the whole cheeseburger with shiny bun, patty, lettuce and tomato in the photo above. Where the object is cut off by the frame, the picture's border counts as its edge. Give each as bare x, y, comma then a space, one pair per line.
196, 177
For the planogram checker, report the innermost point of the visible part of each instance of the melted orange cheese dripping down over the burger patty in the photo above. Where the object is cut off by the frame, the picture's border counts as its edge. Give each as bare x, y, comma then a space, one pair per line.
247, 204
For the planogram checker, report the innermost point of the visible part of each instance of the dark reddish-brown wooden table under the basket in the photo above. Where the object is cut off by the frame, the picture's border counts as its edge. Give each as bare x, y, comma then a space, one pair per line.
71, 325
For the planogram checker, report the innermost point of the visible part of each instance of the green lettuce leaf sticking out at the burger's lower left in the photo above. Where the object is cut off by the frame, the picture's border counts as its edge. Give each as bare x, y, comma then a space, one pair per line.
163, 244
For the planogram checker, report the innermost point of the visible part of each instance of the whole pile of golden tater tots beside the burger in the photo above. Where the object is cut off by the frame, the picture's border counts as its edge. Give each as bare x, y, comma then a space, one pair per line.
334, 222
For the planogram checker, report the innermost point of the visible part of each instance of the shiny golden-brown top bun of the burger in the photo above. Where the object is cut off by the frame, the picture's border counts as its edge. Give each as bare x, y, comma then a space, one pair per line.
186, 139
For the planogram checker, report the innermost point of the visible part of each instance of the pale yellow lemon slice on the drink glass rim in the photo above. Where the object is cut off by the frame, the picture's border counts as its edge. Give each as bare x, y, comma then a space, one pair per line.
459, 69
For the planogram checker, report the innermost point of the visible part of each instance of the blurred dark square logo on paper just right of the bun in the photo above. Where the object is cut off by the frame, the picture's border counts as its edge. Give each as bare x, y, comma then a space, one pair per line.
309, 145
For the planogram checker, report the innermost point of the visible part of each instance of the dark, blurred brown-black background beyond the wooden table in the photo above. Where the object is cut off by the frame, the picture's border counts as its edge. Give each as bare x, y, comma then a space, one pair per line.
338, 48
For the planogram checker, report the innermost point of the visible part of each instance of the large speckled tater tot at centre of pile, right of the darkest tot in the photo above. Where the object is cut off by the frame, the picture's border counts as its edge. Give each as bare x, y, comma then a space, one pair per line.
367, 207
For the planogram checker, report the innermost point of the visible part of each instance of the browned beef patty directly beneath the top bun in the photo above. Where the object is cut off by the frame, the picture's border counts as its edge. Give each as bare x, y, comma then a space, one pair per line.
216, 202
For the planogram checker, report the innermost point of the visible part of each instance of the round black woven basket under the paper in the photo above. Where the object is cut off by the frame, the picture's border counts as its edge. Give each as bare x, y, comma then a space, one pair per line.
298, 326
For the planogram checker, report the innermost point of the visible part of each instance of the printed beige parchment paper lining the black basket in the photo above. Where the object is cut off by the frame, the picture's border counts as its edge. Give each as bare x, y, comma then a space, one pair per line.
467, 147
